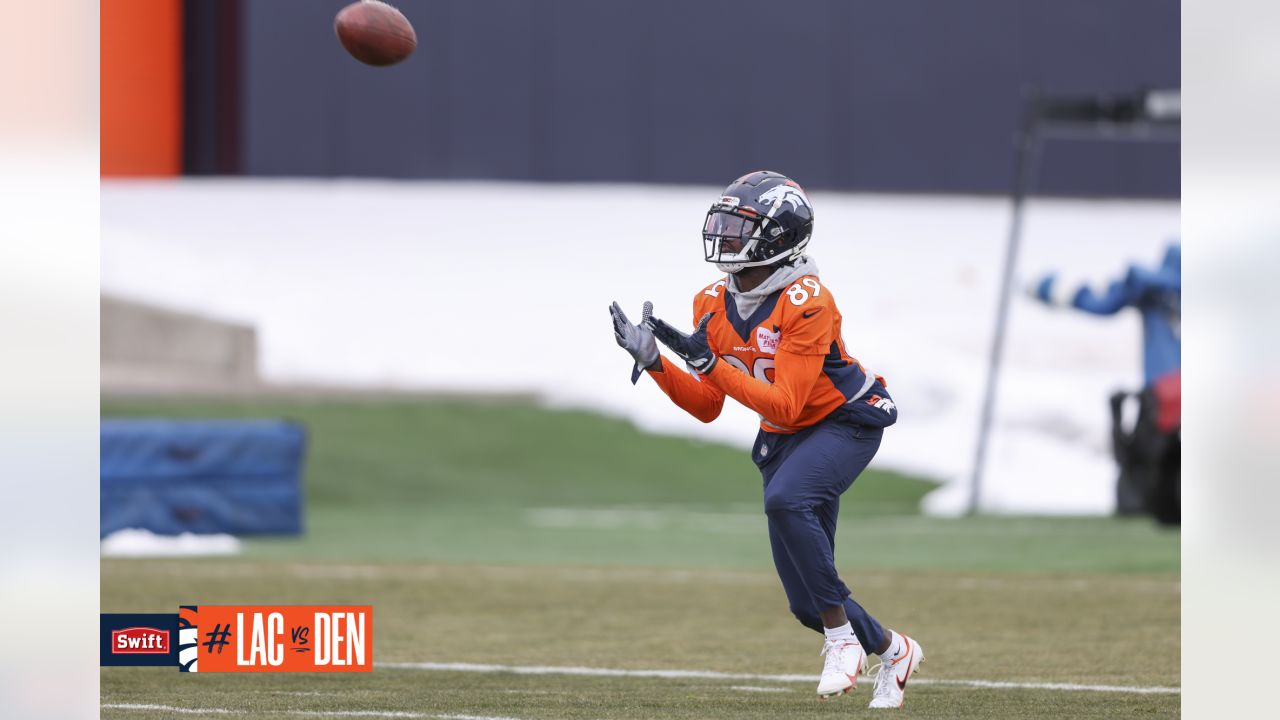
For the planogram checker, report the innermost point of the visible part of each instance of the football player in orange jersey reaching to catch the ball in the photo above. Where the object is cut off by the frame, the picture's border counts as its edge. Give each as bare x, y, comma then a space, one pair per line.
769, 335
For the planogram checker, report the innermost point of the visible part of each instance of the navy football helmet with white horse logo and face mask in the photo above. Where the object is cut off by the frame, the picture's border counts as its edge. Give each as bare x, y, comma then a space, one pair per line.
762, 218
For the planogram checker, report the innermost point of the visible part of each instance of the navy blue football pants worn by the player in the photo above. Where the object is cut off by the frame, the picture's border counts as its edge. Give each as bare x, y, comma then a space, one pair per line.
804, 477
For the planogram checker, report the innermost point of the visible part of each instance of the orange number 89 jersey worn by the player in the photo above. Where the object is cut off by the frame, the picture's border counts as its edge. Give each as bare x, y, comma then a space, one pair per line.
787, 361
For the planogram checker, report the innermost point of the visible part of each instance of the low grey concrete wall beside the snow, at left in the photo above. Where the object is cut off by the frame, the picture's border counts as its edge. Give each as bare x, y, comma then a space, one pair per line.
154, 350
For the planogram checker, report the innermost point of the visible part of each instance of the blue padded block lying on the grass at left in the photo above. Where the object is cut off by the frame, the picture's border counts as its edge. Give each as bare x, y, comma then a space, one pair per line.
171, 477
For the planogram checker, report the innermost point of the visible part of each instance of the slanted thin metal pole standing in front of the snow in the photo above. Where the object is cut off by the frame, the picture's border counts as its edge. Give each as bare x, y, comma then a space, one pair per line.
1025, 171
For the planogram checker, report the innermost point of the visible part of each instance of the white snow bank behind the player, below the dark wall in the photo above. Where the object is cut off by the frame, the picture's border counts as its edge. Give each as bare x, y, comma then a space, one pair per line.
505, 288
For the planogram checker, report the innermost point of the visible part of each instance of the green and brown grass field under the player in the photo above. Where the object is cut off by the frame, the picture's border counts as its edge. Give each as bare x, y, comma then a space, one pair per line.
502, 534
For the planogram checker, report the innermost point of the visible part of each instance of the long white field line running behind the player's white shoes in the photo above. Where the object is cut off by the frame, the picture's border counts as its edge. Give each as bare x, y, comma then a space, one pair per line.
715, 676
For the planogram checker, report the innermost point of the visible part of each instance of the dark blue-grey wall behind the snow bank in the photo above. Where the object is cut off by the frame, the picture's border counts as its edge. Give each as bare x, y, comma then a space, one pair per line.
909, 95
